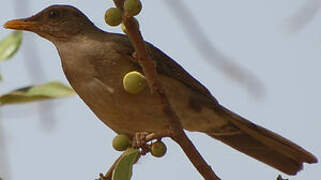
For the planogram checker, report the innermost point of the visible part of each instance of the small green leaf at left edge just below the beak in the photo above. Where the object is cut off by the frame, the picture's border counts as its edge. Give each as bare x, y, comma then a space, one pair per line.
10, 45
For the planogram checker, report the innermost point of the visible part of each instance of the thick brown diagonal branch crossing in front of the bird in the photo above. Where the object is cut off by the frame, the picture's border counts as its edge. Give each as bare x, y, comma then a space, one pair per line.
149, 68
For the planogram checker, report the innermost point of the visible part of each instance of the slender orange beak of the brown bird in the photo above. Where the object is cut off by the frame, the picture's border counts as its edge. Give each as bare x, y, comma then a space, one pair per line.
21, 24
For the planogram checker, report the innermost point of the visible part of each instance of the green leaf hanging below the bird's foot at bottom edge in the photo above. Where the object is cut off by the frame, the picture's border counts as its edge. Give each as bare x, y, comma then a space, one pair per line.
124, 167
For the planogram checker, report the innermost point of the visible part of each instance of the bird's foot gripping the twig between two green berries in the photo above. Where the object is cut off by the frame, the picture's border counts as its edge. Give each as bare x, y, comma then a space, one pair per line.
141, 140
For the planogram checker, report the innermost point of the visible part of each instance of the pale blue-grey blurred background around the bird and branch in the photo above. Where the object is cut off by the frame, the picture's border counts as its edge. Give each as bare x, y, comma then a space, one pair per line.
277, 44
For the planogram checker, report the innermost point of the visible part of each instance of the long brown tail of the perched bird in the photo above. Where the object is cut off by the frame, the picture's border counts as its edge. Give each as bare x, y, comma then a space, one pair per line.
262, 144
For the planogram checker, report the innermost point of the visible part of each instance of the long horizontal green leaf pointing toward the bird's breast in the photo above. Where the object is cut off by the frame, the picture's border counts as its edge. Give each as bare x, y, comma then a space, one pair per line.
46, 91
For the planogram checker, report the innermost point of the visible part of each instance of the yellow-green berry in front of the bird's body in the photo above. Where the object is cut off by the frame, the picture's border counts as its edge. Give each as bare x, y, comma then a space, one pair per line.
134, 82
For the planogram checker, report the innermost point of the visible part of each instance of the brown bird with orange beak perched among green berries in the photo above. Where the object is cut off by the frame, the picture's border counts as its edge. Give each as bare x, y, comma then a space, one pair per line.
95, 63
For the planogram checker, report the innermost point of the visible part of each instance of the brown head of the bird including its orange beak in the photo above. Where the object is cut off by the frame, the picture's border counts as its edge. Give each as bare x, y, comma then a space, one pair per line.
55, 23
